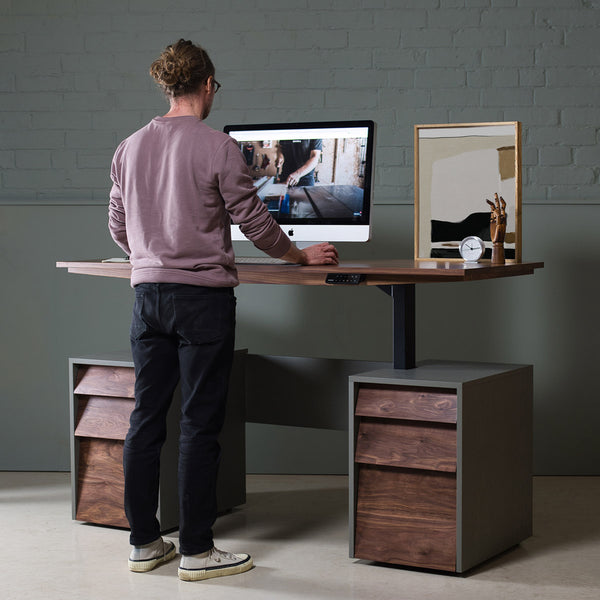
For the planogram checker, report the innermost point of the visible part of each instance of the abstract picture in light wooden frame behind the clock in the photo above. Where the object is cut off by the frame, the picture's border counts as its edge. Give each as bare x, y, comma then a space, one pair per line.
457, 167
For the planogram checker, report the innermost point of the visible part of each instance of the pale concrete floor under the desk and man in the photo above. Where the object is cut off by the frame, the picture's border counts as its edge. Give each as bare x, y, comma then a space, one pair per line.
296, 529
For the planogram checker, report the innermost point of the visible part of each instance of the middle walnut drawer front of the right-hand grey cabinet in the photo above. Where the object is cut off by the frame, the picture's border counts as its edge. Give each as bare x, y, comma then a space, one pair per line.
407, 444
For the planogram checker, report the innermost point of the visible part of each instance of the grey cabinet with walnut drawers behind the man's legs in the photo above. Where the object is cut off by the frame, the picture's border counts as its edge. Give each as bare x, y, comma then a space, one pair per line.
101, 400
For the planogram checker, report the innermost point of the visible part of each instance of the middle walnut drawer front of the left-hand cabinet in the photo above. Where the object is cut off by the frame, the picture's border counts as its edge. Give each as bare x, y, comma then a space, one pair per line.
102, 417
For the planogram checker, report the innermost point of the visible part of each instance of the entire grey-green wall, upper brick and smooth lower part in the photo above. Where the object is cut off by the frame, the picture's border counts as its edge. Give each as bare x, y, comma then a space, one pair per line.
73, 83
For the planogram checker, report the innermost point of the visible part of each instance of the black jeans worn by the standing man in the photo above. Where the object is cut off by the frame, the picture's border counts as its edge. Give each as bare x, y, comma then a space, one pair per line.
179, 333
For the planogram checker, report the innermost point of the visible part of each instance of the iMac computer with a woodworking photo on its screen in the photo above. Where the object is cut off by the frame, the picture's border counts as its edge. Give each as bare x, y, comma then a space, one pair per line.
315, 178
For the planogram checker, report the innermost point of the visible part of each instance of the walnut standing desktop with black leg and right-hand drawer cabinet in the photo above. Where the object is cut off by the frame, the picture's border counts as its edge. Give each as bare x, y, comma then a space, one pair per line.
440, 453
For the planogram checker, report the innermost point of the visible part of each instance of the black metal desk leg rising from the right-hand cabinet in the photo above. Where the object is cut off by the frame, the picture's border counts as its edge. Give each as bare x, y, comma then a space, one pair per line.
403, 297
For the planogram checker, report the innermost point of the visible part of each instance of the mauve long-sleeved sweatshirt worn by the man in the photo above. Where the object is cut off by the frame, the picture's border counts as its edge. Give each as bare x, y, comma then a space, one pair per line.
177, 185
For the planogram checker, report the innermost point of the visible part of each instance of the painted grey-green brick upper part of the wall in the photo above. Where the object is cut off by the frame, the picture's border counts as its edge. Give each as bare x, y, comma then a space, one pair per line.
73, 80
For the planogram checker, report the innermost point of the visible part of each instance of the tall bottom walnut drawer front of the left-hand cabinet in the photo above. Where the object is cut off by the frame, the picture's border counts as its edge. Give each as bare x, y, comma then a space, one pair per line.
100, 482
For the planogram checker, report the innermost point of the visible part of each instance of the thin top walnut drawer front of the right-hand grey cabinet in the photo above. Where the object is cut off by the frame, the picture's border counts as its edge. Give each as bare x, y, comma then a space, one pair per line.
403, 402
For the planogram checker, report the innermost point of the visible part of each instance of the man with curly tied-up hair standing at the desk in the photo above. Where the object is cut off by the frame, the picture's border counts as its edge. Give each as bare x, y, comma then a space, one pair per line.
177, 184
